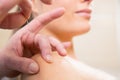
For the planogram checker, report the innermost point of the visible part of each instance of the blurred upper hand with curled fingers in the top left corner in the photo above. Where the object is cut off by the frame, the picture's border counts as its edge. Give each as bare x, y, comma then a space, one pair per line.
8, 20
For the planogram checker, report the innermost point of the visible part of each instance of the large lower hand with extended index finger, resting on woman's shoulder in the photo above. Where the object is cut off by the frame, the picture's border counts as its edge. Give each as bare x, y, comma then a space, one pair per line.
12, 57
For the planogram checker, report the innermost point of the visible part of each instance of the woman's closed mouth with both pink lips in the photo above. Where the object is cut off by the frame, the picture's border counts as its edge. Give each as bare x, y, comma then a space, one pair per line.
84, 13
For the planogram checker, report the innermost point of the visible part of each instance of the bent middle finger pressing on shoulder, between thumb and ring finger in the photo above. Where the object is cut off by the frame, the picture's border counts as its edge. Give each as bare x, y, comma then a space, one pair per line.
44, 46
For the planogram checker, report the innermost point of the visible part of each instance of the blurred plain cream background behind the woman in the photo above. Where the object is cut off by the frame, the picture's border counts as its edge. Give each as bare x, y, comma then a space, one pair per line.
99, 48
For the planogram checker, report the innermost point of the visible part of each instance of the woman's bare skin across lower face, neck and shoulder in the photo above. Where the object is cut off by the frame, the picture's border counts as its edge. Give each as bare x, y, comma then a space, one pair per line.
75, 21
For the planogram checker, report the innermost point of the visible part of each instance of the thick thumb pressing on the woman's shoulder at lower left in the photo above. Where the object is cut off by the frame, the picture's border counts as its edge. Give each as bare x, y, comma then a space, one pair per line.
21, 64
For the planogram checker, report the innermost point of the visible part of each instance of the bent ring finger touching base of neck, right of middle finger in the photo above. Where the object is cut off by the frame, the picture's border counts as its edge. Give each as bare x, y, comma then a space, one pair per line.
58, 46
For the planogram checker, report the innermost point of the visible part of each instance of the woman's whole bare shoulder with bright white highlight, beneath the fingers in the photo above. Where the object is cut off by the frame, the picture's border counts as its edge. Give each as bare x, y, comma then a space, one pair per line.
66, 68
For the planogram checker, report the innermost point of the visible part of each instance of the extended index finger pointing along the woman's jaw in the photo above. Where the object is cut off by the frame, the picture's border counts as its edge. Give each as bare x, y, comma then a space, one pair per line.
39, 22
